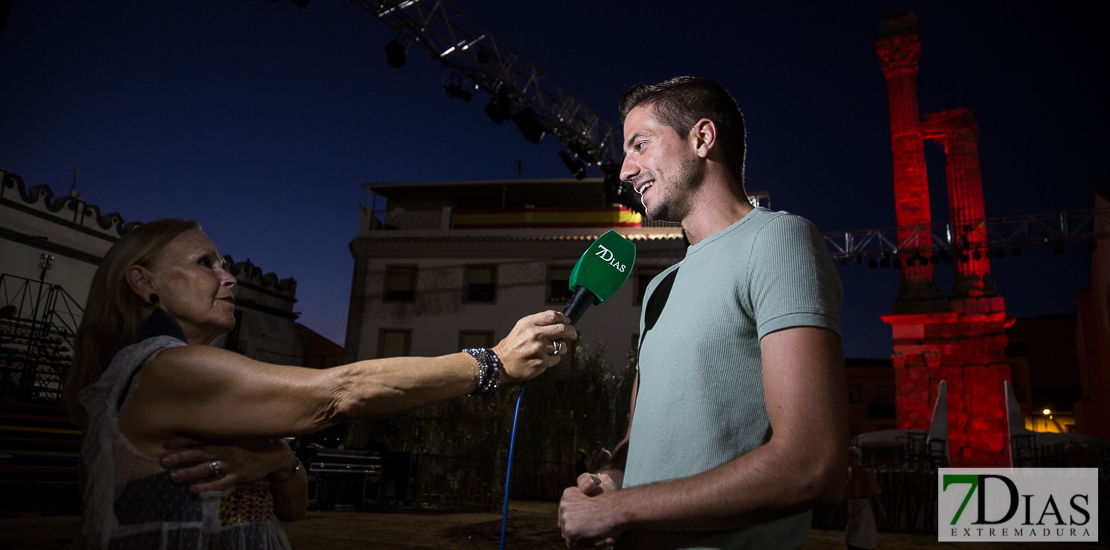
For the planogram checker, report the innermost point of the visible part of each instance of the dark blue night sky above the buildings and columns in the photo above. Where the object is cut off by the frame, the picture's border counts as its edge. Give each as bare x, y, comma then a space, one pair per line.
261, 119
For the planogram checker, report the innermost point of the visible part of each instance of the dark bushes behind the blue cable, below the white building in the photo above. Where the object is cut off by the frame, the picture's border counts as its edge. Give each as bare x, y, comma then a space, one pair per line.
463, 445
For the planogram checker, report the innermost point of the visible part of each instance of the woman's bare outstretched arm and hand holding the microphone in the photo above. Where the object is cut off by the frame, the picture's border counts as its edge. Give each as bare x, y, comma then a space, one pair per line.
211, 393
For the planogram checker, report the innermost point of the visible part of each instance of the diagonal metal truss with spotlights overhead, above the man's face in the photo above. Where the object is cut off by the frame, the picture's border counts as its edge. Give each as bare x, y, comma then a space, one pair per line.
465, 46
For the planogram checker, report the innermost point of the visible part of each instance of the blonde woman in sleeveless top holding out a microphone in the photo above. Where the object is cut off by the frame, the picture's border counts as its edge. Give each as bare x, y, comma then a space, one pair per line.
145, 377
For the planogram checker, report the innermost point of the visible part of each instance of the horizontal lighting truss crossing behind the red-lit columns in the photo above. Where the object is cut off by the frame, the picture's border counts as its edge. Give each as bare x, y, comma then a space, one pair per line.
1007, 233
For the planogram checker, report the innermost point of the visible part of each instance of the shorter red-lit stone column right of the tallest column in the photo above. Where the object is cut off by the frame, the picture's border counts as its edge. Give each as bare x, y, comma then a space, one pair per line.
958, 134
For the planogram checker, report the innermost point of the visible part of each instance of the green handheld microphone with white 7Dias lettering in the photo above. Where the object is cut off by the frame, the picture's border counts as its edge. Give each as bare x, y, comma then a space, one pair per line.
600, 273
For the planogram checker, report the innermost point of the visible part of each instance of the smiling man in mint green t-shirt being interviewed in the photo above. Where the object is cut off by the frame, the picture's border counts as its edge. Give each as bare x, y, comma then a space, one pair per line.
739, 417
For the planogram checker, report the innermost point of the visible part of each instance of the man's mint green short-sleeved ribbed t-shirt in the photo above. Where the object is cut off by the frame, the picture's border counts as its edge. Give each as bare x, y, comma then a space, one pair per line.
701, 401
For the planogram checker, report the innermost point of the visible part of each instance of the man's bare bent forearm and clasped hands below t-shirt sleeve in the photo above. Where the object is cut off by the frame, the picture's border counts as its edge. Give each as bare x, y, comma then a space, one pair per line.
802, 466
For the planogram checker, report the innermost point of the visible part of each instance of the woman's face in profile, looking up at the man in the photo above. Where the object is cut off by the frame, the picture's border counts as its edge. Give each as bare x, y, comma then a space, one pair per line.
195, 288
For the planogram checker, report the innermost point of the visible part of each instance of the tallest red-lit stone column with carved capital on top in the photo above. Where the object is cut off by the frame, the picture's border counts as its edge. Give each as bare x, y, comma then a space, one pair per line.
899, 53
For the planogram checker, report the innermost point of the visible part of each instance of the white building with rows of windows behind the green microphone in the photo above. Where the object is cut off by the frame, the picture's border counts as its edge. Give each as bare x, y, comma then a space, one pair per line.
455, 265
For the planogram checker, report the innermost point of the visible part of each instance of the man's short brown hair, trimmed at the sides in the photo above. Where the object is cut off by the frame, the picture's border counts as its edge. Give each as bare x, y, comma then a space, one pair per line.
682, 102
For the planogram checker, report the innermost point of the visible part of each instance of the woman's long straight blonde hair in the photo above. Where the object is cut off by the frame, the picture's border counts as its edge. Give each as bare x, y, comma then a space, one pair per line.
115, 313
